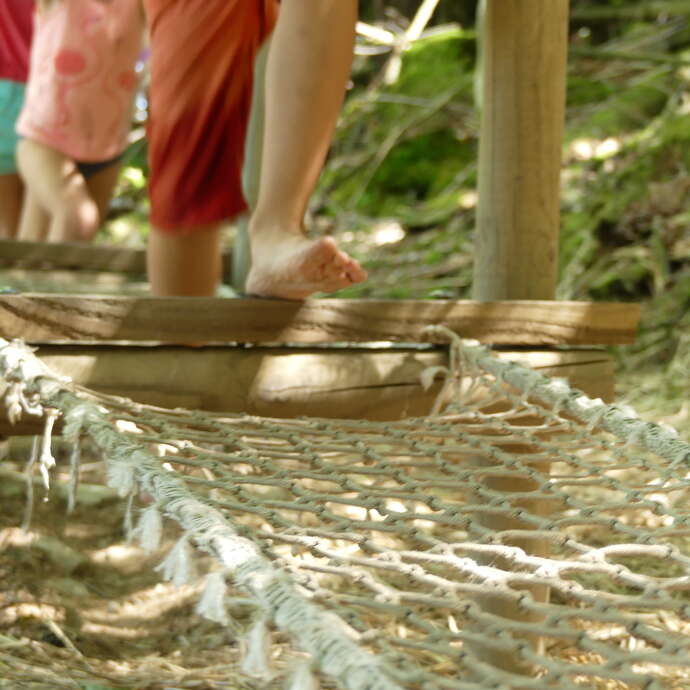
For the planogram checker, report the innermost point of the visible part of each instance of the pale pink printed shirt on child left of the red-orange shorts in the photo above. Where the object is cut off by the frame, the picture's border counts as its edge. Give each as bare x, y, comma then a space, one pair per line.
82, 78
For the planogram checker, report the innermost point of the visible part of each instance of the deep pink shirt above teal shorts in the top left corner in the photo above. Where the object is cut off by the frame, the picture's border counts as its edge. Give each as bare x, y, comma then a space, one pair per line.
16, 27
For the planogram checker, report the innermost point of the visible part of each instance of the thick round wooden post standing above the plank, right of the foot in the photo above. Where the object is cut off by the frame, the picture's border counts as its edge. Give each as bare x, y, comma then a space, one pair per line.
523, 114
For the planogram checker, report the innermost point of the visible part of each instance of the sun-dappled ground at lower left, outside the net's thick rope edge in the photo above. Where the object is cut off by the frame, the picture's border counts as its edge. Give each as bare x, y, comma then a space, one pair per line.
83, 609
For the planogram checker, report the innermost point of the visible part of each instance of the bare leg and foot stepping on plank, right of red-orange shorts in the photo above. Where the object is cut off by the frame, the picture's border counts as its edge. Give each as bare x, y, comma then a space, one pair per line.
308, 67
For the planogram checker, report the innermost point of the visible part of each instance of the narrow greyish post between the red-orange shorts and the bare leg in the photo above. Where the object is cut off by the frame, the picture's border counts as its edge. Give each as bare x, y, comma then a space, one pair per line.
251, 172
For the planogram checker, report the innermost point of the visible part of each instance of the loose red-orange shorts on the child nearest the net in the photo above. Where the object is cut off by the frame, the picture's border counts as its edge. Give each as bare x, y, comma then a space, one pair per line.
202, 62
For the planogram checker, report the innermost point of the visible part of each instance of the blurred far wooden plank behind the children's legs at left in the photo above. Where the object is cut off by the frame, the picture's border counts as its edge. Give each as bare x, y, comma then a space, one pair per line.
78, 257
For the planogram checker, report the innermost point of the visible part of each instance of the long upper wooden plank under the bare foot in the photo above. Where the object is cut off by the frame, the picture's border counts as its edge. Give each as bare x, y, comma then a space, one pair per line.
46, 318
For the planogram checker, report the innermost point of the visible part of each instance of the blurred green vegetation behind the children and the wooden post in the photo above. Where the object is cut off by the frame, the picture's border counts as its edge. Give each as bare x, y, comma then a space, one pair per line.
399, 186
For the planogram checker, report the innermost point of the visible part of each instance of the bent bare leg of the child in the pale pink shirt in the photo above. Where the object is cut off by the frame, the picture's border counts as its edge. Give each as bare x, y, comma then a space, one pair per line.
60, 189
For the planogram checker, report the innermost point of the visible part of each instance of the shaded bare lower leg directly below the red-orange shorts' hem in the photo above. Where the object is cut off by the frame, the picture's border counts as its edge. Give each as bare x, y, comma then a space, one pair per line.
187, 264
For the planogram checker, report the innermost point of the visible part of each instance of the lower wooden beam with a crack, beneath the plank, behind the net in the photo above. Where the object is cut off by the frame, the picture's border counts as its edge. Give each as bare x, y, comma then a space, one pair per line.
376, 384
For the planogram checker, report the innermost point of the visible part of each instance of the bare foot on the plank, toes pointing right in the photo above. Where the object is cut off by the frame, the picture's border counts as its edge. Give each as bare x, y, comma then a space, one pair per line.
291, 266
